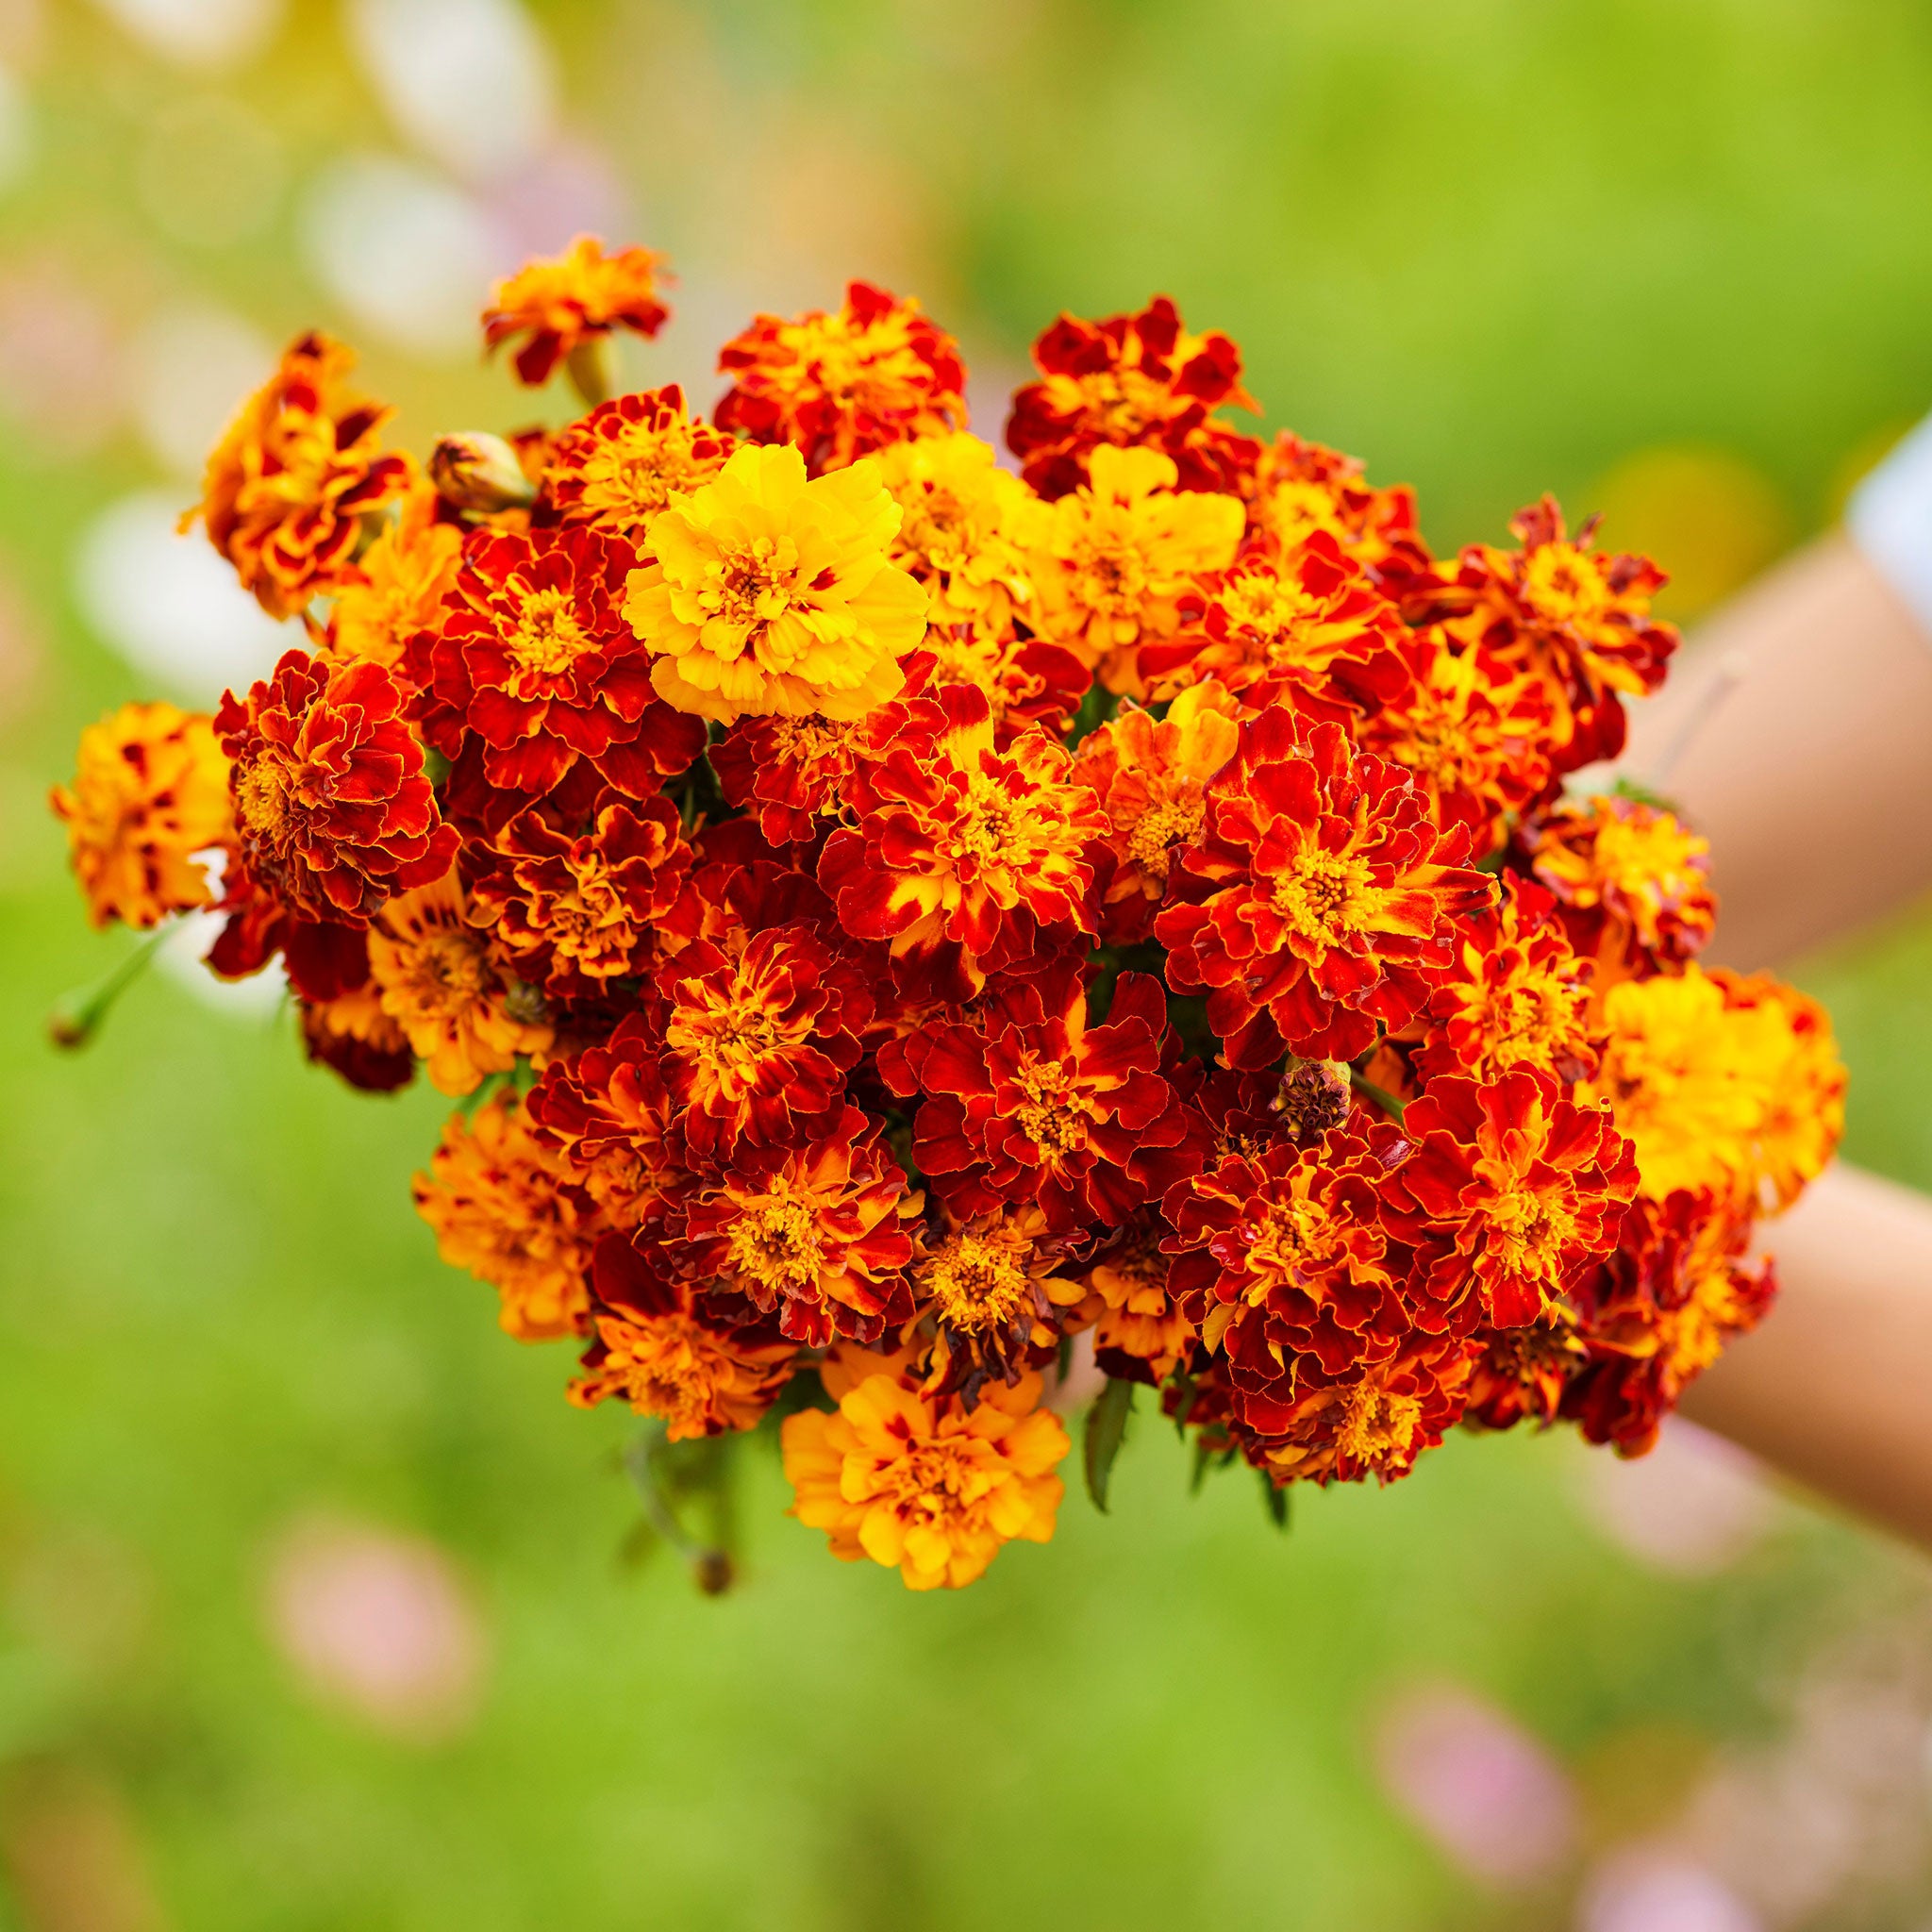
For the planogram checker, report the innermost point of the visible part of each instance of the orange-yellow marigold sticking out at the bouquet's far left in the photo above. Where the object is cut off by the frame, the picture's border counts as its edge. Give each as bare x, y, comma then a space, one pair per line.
152, 791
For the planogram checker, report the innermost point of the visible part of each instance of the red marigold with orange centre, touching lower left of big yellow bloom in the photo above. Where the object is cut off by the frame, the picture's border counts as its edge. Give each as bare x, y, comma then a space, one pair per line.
536, 660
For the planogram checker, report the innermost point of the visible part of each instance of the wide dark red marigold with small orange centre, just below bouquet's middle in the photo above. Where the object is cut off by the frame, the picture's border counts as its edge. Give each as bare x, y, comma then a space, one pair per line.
1027, 1102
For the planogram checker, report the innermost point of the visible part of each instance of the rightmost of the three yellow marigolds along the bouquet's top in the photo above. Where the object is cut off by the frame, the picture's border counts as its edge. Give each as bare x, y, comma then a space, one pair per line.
1118, 555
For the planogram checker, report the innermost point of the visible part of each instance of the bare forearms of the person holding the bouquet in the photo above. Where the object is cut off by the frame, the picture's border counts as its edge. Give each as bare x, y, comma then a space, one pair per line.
1796, 737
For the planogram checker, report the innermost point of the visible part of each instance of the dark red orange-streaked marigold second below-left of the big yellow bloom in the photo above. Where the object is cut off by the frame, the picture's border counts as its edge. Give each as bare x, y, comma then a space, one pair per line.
573, 913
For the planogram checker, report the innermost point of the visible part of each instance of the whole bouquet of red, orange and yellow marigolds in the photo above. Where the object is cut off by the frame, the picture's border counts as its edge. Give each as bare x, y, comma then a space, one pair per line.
924, 946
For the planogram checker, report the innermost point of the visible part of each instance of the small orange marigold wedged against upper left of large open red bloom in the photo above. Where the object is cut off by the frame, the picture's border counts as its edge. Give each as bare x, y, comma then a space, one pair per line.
1152, 783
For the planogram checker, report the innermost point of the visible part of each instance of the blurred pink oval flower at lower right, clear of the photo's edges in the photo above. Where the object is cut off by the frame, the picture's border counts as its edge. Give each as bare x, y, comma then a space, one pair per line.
1477, 1784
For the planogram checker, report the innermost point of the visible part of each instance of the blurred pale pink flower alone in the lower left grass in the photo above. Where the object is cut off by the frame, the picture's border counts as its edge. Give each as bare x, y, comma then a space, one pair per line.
378, 1624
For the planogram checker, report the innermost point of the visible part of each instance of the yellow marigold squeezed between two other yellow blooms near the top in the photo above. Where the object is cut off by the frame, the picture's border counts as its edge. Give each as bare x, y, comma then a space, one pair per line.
967, 530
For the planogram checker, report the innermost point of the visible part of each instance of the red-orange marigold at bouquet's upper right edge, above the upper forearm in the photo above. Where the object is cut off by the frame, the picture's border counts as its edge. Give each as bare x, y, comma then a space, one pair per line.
1574, 615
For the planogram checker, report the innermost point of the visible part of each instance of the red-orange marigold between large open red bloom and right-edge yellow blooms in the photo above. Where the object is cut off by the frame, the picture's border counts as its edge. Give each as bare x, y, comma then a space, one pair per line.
1516, 996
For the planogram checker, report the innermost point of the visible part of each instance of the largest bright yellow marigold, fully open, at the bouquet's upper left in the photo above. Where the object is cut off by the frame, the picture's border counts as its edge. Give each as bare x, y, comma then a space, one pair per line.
774, 594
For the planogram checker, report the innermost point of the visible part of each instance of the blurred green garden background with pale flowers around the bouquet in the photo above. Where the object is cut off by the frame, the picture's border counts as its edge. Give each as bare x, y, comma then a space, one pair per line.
312, 1610
